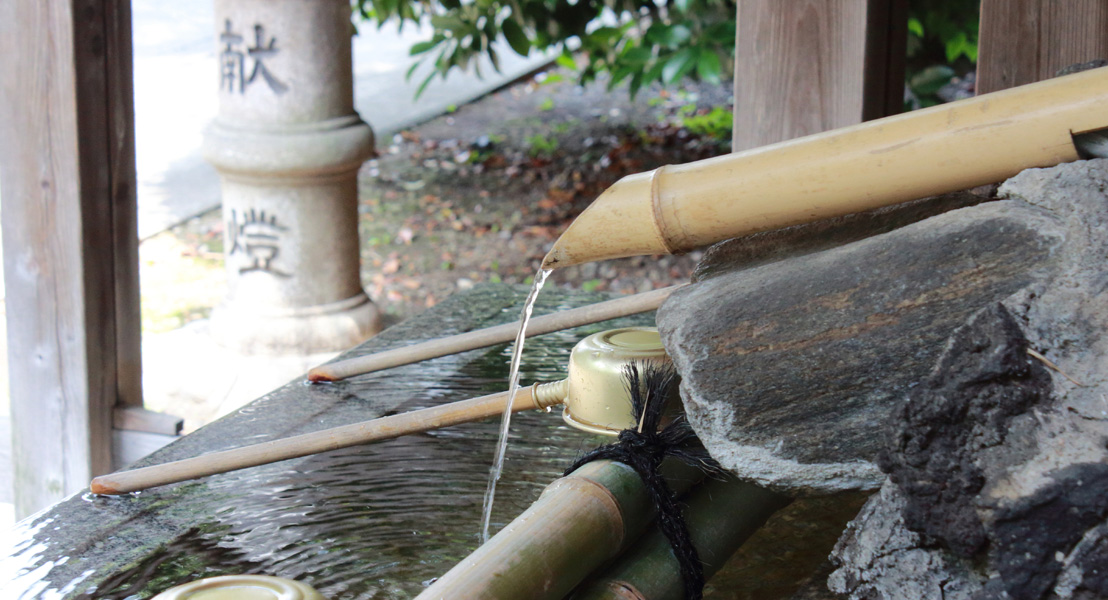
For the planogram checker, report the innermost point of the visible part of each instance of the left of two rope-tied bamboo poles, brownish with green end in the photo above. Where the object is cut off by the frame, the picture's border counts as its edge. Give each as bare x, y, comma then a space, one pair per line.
579, 523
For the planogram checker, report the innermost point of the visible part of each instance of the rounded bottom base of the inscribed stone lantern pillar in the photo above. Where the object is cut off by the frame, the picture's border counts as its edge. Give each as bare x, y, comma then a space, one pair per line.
322, 328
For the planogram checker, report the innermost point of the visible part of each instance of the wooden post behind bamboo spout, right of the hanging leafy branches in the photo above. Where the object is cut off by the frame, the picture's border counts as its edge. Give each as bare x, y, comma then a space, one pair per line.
804, 67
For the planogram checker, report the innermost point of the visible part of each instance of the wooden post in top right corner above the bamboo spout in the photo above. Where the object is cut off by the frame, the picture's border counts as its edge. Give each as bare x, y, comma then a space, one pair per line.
1024, 42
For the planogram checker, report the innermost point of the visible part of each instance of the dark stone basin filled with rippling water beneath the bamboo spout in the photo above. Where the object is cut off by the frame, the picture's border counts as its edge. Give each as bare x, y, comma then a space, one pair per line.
375, 522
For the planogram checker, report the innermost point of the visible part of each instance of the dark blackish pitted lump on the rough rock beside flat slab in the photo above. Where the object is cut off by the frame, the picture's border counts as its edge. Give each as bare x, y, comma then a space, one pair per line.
984, 380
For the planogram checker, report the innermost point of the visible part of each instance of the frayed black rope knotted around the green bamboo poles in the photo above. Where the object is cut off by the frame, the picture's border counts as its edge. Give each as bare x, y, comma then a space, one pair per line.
644, 448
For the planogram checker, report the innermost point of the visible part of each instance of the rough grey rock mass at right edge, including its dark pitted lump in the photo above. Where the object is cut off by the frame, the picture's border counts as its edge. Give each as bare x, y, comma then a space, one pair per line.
1022, 511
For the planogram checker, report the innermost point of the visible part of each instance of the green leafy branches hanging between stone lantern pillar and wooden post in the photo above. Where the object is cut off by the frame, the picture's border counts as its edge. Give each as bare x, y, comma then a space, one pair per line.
638, 43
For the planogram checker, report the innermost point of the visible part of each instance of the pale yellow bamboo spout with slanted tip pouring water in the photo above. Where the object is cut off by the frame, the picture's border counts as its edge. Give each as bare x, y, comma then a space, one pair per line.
945, 149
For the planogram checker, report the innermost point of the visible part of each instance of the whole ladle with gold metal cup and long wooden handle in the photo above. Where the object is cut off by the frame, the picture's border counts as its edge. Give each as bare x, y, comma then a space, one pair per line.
591, 395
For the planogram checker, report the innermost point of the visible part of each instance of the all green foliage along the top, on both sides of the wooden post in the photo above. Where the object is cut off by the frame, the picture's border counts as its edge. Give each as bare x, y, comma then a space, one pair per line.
641, 43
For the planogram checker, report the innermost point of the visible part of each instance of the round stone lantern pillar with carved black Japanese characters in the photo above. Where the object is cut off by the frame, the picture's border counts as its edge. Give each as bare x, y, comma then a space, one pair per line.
288, 144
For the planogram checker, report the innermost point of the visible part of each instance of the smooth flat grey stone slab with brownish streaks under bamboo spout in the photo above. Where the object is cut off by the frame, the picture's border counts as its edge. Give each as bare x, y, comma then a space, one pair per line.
792, 368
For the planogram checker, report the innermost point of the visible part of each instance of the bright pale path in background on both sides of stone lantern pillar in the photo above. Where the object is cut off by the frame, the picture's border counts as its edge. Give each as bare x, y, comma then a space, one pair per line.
177, 86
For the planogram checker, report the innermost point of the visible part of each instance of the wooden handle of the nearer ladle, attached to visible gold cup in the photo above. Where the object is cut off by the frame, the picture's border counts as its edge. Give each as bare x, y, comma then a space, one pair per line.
539, 396
